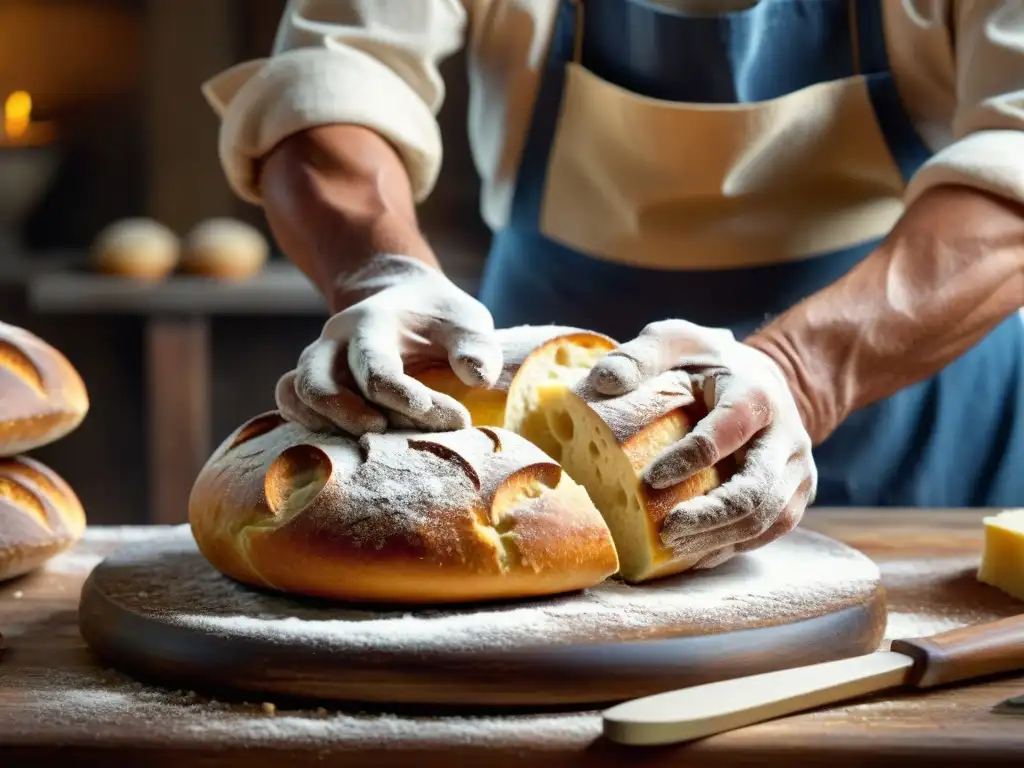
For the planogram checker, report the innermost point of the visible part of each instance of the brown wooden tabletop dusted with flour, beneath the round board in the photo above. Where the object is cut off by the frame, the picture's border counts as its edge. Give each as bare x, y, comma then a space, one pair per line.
58, 704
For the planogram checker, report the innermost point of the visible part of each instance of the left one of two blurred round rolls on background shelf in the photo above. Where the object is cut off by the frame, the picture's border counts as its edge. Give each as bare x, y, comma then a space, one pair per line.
138, 248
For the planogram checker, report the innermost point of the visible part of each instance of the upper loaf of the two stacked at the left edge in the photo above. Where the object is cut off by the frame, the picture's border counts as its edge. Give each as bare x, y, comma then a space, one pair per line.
42, 398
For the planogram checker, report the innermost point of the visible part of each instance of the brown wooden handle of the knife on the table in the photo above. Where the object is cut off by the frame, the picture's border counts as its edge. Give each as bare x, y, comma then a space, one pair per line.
965, 654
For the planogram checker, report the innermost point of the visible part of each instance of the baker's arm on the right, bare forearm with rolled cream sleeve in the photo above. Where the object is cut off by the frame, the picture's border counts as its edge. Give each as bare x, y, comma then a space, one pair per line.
954, 268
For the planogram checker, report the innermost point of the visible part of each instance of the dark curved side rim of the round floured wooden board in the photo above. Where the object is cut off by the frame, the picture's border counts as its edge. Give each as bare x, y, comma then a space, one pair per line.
560, 675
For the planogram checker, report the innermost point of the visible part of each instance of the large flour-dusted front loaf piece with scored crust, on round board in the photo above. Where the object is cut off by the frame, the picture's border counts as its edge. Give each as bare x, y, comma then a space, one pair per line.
471, 516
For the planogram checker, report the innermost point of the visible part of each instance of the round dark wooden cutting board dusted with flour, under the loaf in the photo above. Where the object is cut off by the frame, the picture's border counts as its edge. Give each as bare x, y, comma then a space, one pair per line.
161, 612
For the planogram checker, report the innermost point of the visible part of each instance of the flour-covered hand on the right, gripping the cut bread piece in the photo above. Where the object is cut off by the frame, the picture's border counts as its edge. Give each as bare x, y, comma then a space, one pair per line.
752, 415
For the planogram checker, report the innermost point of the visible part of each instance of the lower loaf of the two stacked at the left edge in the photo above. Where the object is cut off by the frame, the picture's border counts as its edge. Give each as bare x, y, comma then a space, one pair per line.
40, 517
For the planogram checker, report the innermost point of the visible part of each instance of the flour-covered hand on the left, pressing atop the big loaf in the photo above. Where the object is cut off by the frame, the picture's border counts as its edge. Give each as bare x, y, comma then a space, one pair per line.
400, 312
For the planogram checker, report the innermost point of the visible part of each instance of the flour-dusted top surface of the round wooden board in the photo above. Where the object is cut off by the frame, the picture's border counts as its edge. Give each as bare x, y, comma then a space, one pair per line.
778, 584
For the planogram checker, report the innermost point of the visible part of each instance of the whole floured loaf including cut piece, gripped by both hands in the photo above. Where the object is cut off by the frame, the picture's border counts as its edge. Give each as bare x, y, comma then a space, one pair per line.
544, 495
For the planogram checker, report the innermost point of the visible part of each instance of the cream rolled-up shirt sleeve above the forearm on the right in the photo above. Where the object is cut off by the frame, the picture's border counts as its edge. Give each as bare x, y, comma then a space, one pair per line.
987, 151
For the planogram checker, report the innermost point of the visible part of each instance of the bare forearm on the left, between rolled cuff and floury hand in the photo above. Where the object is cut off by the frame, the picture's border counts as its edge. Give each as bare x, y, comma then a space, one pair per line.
334, 197
